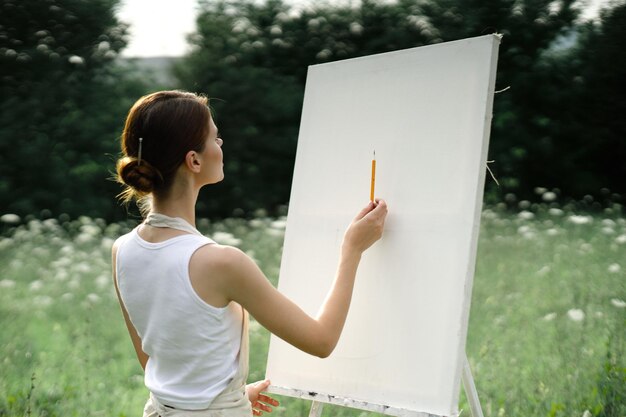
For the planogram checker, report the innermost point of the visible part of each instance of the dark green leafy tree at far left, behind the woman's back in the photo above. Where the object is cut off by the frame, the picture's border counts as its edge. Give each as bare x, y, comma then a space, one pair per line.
63, 103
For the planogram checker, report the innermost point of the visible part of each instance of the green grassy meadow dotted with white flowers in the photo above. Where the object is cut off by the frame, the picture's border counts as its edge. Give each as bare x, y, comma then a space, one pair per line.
546, 335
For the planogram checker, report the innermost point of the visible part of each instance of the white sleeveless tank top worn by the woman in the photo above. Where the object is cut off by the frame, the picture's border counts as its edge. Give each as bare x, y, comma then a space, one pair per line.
193, 346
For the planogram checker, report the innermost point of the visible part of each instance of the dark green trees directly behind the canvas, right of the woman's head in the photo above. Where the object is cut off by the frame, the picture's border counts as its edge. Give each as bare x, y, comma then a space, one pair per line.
253, 58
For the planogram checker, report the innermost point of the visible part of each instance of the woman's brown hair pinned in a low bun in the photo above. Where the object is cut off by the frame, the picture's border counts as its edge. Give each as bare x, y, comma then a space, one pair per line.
170, 123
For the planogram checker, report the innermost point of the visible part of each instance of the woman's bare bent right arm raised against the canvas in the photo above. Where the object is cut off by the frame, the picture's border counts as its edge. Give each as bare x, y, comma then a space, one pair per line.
242, 281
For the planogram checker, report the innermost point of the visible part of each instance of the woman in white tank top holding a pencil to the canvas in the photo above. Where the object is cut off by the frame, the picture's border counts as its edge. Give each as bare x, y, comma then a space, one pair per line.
185, 298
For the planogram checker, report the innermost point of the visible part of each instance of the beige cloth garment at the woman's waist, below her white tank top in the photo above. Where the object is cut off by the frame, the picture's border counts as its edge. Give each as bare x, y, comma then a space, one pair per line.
232, 402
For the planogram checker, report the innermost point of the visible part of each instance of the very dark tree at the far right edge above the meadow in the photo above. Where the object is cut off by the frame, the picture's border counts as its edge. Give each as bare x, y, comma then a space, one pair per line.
581, 112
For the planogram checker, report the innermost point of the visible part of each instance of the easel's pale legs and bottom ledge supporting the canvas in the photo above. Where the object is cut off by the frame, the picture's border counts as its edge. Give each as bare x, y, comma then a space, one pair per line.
468, 386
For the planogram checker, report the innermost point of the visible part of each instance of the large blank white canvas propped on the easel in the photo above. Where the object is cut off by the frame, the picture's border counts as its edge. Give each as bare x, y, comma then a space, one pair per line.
426, 112
